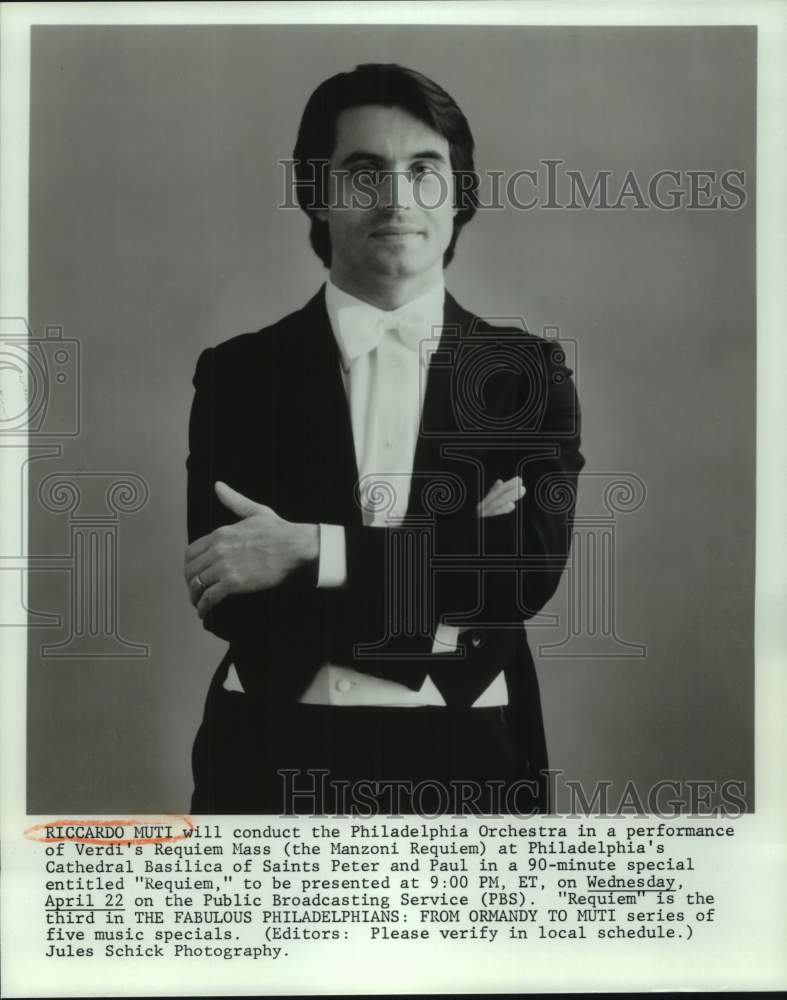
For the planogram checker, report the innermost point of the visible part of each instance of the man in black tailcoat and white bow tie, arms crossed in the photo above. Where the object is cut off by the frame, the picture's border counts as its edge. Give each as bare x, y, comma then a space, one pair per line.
381, 491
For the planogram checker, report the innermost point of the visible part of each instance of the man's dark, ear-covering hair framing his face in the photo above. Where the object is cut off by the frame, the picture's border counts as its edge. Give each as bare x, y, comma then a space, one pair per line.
388, 85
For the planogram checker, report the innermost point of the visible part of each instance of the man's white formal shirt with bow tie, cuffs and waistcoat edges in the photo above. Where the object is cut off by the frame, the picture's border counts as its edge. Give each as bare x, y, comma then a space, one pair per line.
384, 364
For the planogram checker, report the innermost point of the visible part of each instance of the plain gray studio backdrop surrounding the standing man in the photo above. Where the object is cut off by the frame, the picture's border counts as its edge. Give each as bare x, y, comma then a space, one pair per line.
154, 232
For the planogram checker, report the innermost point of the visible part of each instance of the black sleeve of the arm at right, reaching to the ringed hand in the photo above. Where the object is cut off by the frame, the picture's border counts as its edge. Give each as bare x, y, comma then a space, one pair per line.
492, 572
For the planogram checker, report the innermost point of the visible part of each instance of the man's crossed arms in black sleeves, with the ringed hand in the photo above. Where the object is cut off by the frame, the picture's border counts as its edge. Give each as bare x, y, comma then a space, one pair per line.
496, 563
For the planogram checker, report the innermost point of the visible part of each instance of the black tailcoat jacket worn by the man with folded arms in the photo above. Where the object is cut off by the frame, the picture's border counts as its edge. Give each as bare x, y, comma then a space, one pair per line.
270, 418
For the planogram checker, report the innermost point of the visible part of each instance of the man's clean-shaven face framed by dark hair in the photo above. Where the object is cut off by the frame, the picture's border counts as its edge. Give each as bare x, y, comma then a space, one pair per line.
391, 207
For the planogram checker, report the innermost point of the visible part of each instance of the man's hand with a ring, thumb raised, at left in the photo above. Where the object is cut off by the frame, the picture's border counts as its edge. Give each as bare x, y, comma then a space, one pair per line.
257, 553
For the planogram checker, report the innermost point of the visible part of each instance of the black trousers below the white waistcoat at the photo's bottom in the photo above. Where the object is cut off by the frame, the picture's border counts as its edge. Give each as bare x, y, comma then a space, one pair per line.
318, 760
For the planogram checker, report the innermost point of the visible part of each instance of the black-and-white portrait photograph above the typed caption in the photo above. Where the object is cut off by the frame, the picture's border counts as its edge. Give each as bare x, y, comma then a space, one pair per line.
427, 354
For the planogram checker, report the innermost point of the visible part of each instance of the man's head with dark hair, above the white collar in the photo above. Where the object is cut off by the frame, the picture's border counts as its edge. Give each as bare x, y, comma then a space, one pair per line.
402, 181
